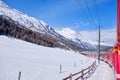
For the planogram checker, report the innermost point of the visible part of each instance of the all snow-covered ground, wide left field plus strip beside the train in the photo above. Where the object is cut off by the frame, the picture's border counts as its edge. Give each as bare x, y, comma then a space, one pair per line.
43, 63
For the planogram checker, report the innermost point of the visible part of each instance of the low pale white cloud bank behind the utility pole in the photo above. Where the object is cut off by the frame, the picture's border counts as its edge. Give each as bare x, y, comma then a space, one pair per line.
107, 36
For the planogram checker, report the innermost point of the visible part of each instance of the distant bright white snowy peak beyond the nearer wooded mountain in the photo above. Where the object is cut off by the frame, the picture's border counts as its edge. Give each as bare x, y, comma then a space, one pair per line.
77, 37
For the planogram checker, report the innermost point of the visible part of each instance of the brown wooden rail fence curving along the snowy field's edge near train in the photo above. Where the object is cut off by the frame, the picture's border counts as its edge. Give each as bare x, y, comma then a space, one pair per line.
82, 73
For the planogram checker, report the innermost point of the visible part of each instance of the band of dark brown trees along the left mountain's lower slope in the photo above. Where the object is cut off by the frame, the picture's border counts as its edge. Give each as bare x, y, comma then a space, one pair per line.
11, 28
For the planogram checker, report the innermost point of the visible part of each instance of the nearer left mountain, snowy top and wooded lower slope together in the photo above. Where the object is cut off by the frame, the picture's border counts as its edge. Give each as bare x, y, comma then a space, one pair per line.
21, 20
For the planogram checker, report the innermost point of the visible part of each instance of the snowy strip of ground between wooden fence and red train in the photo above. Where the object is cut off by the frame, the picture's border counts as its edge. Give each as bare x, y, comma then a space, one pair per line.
103, 72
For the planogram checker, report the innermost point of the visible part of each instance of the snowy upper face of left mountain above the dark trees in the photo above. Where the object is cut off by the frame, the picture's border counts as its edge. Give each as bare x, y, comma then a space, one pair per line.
25, 20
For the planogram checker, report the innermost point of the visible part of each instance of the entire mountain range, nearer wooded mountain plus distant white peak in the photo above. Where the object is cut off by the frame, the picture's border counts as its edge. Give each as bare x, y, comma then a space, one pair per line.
68, 39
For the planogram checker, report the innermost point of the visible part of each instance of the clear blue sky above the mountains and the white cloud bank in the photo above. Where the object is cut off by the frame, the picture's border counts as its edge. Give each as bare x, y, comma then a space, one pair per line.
69, 13
